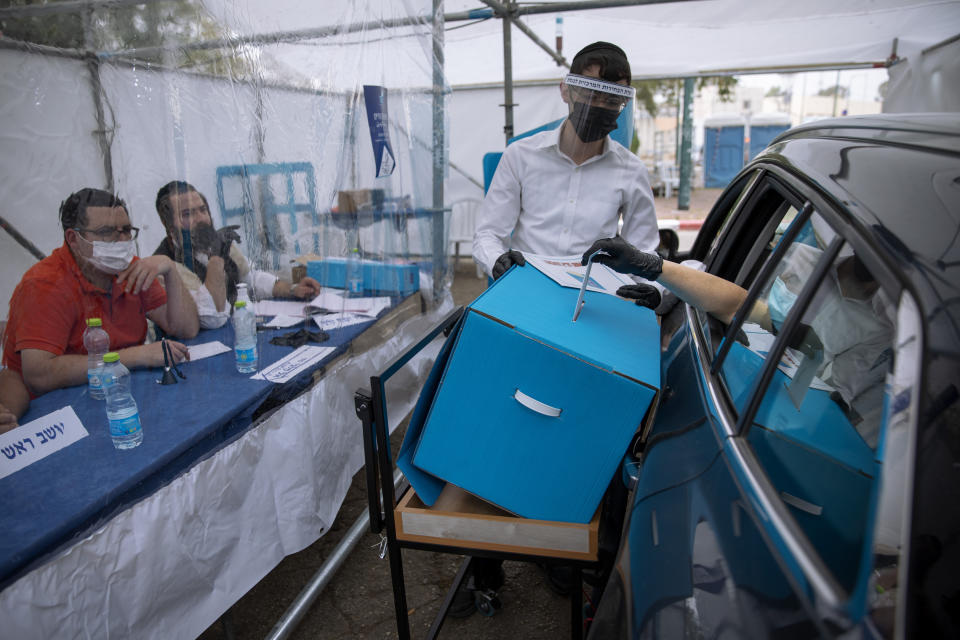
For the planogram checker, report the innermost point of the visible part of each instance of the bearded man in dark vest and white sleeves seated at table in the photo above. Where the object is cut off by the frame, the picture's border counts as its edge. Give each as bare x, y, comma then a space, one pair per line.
208, 261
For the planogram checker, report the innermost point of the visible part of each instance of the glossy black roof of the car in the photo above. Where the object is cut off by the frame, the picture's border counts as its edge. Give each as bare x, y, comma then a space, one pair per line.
898, 177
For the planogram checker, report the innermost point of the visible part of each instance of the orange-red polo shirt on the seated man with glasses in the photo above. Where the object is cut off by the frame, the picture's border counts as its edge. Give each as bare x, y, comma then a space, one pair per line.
50, 307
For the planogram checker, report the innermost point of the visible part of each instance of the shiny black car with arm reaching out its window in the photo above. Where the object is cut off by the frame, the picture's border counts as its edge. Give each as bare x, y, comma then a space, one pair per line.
800, 476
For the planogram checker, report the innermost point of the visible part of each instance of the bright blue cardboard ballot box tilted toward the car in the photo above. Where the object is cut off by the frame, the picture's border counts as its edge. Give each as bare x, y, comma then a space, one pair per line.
534, 411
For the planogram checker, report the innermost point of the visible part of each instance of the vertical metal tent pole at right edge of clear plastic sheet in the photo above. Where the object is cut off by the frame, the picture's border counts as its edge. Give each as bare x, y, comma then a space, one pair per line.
439, 148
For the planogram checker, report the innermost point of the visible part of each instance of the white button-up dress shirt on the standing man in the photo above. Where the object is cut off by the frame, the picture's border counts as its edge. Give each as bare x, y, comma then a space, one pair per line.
554, 207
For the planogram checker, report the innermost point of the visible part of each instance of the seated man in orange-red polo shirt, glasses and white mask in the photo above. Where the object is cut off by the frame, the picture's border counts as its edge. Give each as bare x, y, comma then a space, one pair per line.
94, 274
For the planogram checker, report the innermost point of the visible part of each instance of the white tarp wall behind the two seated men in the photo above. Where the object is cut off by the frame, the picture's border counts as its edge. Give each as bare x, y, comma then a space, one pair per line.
290, 101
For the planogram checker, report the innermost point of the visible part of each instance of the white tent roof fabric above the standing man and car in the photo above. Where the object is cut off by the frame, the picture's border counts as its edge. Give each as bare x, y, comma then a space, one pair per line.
680, 39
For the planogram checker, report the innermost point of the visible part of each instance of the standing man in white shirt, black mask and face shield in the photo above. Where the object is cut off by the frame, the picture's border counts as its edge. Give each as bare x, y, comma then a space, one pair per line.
556, 192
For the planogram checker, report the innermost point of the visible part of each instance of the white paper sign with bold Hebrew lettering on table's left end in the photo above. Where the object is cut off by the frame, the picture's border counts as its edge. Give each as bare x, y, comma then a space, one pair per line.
37, 439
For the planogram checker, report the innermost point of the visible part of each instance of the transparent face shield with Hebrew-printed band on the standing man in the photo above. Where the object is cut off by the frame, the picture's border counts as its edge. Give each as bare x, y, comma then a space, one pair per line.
595, 105
